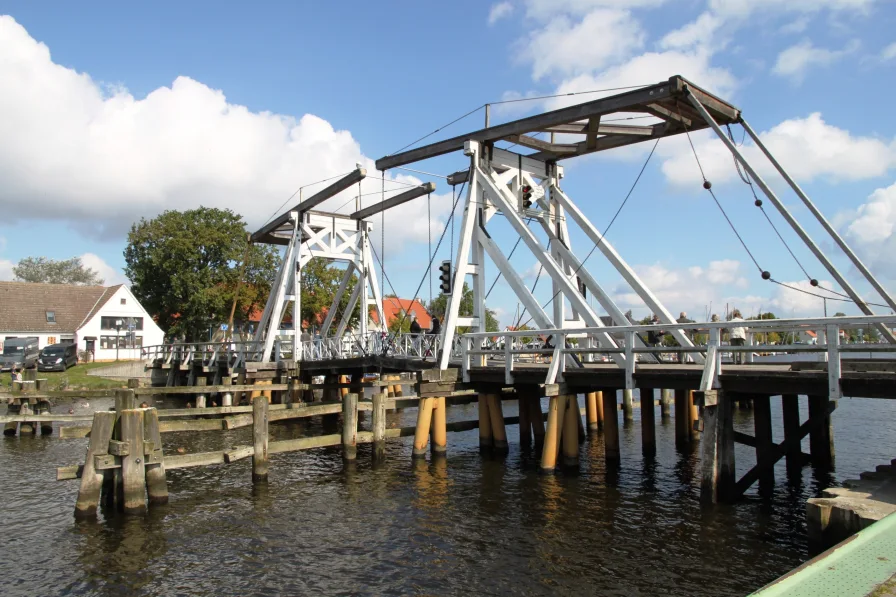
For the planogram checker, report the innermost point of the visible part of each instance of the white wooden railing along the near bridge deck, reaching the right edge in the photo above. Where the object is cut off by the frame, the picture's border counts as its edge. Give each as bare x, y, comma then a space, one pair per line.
481, 346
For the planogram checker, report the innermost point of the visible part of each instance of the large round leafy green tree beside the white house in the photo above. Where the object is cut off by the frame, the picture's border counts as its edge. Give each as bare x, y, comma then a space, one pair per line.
184, 268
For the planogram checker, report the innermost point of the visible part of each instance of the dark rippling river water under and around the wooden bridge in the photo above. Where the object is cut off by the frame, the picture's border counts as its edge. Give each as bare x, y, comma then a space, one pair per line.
468, 525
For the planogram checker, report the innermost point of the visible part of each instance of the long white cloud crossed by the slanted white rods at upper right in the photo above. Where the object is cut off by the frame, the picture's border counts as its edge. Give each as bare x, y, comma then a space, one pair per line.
808, 148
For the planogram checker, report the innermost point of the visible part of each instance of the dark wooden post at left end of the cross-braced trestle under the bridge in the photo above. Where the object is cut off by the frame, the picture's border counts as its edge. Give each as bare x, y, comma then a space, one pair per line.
717, 447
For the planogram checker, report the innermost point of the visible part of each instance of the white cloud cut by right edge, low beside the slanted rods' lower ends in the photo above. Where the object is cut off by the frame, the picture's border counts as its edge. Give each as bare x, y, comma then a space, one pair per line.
870, 230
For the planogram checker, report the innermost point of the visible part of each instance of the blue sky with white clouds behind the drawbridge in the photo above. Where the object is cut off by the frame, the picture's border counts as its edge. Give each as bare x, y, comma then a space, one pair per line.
112, 112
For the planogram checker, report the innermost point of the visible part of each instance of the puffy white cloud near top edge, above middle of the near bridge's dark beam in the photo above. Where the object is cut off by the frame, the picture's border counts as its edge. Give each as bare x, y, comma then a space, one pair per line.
565, 47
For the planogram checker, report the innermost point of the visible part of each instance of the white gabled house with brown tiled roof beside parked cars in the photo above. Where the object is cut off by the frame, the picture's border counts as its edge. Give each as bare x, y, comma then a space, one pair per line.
98, 319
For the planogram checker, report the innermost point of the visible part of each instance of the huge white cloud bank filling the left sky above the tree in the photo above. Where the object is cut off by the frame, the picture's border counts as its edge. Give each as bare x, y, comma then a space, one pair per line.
101, 159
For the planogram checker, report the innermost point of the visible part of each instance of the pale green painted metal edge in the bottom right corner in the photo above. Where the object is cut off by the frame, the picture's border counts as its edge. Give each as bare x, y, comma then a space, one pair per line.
856, 567
